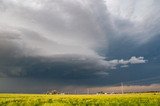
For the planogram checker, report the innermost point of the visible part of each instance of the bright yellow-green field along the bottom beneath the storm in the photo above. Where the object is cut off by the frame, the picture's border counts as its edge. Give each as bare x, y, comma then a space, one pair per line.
145, 99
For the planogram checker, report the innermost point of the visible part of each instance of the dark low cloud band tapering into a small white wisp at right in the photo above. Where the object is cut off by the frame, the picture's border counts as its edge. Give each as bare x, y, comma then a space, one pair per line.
62, 67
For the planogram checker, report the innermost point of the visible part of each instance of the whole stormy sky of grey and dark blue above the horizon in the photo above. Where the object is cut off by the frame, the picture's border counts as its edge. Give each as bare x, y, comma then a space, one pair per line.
58, 44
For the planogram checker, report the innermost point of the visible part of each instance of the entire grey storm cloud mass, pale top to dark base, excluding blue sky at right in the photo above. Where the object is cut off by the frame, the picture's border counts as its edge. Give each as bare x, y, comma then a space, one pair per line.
69, 39
